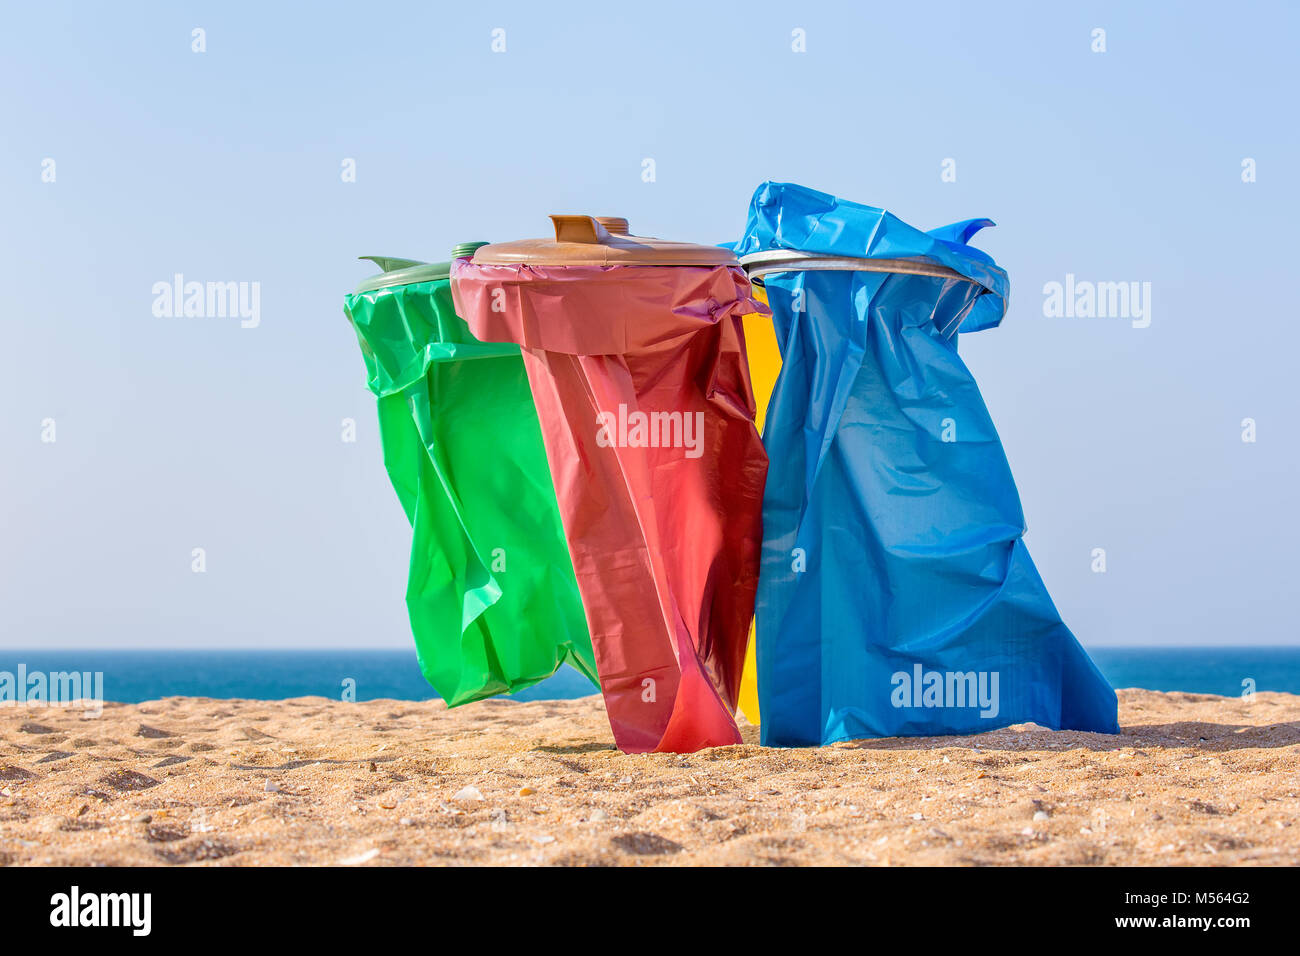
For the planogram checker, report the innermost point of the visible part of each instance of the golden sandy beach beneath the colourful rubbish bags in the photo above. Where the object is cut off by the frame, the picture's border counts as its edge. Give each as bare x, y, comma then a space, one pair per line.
185, 781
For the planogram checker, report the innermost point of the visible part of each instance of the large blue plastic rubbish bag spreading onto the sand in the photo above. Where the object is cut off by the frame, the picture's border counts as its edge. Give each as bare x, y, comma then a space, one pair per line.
896, 596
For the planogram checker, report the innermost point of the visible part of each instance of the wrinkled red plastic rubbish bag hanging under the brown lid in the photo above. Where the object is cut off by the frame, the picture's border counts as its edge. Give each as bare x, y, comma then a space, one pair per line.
664, 539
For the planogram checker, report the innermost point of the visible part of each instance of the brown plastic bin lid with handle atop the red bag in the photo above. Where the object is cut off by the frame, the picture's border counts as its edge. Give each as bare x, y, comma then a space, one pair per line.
601, 241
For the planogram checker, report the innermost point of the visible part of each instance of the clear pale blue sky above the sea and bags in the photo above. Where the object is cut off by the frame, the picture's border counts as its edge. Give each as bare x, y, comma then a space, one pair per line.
226, 166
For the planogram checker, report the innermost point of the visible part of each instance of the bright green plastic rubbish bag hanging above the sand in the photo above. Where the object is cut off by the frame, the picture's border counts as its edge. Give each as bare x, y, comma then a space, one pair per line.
492, 596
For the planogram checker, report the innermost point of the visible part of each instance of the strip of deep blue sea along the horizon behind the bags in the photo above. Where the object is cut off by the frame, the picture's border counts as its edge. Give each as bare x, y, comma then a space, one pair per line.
137, 676
